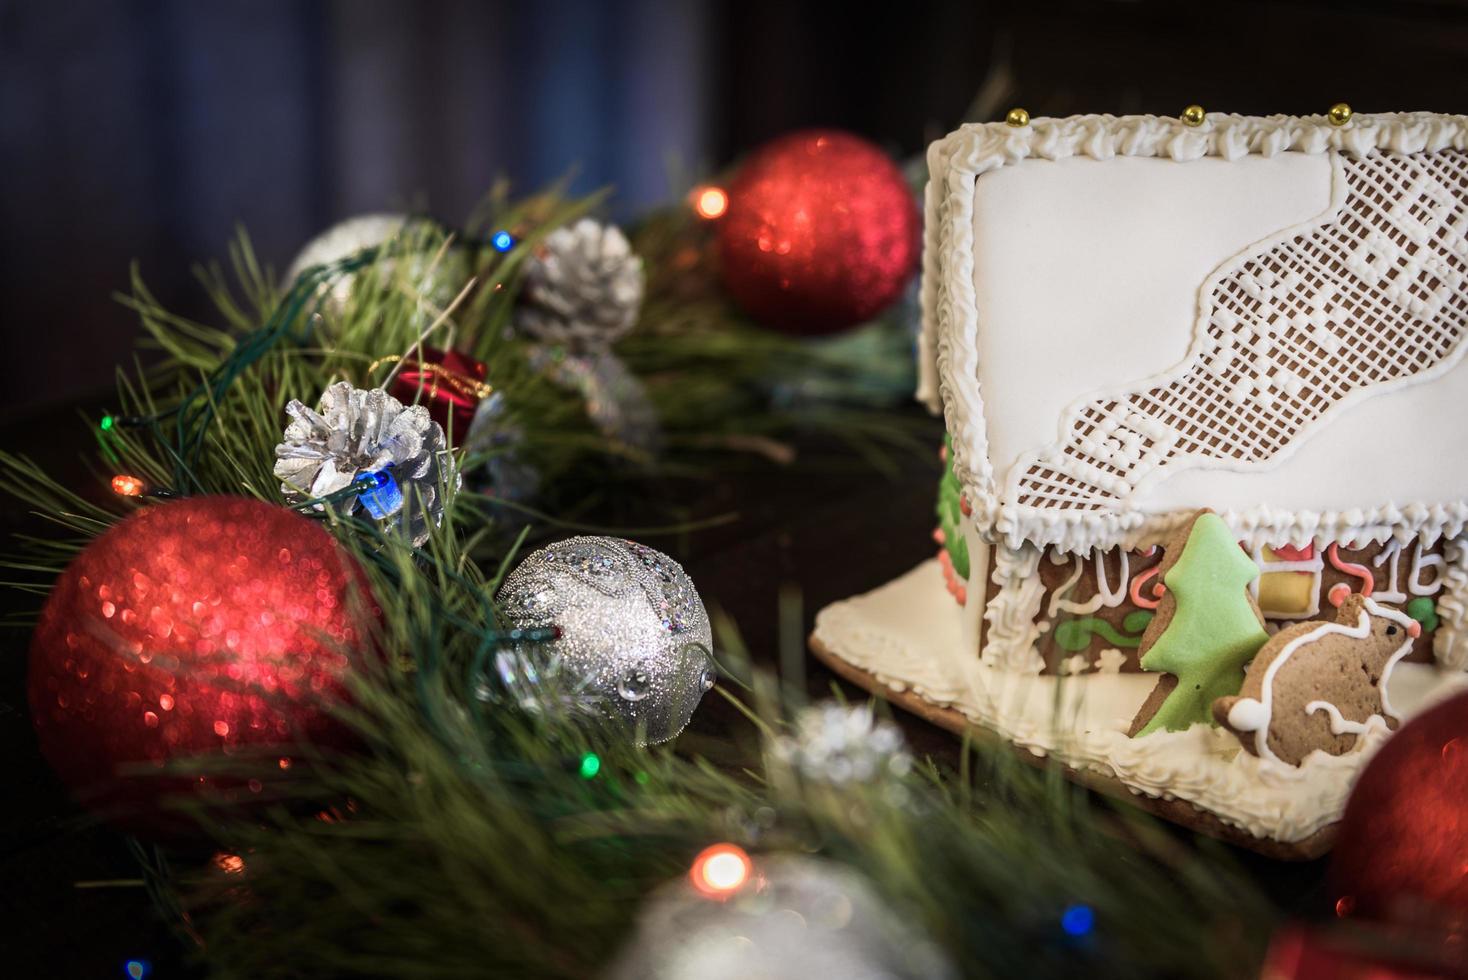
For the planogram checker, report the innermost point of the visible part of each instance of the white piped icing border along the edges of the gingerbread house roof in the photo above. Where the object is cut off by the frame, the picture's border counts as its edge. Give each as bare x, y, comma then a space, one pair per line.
951, 316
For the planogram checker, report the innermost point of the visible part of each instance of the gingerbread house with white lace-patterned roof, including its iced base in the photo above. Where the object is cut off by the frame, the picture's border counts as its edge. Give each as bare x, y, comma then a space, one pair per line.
1131, 319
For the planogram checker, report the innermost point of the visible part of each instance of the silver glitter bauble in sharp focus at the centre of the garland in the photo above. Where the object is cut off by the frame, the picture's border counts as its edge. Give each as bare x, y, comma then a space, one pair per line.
632, 626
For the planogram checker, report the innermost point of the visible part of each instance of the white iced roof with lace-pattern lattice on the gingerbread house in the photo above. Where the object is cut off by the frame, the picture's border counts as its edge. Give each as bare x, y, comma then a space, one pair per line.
1273, 331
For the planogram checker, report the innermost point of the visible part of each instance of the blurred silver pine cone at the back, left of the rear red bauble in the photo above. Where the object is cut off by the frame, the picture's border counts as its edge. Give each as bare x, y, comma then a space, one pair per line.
584, 288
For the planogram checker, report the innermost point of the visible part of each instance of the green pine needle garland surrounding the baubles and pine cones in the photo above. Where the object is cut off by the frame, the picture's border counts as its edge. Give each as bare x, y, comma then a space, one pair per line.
472, 834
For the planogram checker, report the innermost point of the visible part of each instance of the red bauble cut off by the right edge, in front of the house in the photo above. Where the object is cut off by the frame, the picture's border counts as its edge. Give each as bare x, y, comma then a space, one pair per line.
1403, 850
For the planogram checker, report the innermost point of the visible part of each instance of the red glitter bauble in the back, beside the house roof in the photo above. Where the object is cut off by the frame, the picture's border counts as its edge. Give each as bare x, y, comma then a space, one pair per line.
821, 233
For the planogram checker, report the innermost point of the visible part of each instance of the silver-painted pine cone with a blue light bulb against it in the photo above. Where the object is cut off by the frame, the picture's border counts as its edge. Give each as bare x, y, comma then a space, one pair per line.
359, 432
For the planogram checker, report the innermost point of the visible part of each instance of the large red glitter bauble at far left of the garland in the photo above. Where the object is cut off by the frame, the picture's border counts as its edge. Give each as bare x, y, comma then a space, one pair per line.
195, 627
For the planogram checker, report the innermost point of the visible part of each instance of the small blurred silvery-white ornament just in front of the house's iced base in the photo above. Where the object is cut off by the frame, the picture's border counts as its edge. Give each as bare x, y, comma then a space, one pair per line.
840, 745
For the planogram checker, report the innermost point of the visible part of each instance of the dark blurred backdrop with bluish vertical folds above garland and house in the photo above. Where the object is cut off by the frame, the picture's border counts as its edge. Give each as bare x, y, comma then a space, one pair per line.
148, 130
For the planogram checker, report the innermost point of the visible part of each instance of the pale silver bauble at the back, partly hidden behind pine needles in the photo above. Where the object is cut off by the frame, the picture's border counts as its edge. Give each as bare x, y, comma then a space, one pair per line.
440, 282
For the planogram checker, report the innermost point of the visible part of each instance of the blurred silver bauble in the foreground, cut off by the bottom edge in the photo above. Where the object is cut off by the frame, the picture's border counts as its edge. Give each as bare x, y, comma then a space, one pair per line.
798, 919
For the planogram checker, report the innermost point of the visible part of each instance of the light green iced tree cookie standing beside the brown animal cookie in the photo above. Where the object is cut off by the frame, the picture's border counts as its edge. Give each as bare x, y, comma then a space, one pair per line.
1207, 627
